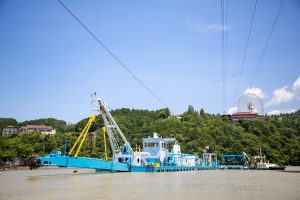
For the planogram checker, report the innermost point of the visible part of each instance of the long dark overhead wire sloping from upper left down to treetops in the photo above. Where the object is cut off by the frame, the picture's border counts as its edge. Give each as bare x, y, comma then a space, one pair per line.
115, 57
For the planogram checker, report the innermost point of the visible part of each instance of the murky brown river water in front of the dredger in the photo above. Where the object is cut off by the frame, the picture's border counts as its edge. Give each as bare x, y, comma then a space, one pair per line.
62, 183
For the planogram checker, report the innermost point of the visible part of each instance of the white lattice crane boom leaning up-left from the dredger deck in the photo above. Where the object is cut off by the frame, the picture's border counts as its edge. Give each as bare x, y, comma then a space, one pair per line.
114, 133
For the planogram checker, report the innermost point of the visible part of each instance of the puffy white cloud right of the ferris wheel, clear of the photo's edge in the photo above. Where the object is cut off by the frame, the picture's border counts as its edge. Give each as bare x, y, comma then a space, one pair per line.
280, 95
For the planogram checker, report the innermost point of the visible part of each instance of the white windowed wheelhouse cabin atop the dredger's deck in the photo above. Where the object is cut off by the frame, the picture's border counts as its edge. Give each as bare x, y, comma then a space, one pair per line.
157, 147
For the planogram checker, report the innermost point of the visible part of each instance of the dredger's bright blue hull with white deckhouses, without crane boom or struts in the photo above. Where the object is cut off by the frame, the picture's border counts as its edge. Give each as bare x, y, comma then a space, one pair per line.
155, 157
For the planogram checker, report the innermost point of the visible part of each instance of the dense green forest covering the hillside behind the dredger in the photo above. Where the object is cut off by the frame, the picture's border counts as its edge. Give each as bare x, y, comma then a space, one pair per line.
278, 136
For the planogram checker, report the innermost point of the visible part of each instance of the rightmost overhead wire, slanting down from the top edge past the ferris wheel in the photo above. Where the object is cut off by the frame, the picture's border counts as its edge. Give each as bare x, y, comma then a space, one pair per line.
268, 40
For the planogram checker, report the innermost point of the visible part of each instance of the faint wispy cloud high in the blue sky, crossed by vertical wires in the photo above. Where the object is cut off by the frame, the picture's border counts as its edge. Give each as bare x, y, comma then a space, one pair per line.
206, 28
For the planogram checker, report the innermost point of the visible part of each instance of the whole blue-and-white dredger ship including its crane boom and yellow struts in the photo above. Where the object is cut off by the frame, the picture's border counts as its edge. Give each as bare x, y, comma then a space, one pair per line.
154, 157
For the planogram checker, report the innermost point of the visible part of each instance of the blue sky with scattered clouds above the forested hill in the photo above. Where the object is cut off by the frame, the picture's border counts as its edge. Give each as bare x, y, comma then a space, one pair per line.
50, 64
